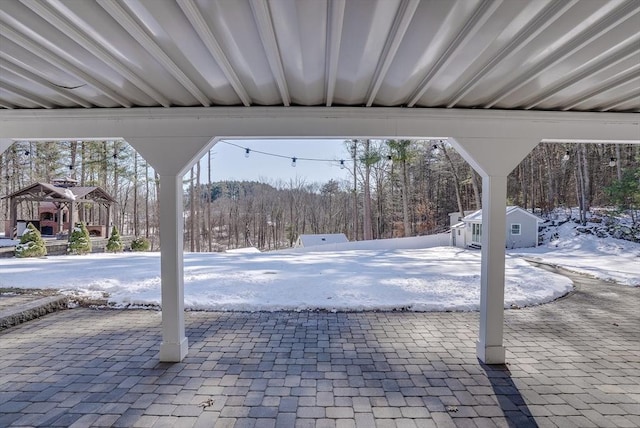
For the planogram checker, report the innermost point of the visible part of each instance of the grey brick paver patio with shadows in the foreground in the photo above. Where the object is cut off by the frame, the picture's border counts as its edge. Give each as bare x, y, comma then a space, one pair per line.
575, 362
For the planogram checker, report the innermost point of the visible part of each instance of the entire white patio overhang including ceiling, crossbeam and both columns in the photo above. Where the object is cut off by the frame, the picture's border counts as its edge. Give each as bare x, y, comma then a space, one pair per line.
495, 78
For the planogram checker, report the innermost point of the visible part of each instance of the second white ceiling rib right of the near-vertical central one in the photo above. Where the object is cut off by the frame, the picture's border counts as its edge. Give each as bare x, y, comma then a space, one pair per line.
480, 16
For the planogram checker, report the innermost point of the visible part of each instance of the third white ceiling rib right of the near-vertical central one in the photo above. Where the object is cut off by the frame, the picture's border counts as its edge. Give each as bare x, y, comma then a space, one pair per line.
536, 26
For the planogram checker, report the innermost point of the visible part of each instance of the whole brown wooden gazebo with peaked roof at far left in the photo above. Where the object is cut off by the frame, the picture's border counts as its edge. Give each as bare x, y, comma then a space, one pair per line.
57, 204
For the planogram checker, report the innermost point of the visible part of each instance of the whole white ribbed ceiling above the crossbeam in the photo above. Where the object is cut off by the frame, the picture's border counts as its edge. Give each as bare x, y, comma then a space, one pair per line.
574, 55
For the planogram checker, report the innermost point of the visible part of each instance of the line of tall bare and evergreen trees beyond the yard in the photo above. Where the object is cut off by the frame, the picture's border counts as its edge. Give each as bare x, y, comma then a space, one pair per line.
397, 188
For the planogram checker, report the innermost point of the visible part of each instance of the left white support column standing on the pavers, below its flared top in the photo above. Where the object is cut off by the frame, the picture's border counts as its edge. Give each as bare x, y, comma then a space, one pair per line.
174, 346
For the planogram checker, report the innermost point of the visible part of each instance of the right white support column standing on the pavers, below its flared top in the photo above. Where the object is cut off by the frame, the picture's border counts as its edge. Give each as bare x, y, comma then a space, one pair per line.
494, 197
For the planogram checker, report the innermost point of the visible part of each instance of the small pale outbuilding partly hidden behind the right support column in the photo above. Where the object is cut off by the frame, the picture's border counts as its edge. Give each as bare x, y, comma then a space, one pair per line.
522, 229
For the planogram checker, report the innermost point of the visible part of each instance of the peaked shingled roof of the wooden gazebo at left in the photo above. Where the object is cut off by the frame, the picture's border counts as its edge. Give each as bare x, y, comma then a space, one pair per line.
49, 192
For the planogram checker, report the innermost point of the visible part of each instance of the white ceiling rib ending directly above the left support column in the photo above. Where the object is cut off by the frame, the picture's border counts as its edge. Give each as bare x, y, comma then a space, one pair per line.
98, 51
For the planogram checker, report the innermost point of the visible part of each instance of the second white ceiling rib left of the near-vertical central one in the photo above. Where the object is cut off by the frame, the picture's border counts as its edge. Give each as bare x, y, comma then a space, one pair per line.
193, 14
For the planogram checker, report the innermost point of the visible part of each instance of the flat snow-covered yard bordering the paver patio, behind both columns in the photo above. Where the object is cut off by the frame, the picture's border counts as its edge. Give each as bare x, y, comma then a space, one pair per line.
433, 279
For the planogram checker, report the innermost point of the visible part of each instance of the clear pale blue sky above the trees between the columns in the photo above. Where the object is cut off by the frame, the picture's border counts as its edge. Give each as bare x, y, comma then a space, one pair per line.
229, 162
